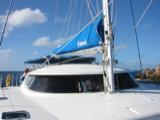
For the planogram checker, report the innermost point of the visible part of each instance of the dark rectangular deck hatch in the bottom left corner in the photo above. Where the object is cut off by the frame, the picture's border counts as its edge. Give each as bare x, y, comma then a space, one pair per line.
15, 115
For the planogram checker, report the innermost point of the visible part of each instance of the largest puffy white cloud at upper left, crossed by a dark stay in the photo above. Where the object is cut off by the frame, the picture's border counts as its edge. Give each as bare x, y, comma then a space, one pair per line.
23, 17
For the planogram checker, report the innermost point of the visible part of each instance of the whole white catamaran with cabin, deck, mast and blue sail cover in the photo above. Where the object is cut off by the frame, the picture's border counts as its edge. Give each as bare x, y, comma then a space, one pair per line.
82, 91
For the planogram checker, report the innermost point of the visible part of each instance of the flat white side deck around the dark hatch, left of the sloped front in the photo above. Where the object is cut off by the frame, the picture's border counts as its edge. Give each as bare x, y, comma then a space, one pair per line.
18, 101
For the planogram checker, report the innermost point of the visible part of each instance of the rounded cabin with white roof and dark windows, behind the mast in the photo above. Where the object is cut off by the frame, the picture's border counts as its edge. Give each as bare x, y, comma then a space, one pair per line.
75, 78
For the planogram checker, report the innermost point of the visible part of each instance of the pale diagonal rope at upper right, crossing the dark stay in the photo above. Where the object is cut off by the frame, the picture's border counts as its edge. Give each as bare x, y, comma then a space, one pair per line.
139, 20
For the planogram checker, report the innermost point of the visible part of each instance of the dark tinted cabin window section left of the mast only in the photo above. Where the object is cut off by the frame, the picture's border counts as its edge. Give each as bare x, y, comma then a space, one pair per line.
67, 84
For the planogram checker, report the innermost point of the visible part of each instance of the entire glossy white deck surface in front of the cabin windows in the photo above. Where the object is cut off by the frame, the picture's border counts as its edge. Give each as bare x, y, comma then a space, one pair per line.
82, 106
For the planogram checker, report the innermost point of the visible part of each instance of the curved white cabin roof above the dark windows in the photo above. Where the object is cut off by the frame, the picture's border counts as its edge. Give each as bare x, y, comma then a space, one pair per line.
73, 69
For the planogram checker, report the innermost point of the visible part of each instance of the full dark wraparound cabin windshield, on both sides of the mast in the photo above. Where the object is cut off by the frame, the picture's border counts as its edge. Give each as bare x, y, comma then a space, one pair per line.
78, 83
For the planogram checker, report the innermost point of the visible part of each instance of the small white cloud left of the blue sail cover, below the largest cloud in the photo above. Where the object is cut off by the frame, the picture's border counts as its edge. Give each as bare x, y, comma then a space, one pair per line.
42, 42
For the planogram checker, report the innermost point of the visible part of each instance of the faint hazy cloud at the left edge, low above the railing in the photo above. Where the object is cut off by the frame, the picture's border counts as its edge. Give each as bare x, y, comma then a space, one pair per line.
5, 54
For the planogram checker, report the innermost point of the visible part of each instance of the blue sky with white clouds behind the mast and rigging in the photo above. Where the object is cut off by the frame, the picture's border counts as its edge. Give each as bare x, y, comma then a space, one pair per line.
36, 26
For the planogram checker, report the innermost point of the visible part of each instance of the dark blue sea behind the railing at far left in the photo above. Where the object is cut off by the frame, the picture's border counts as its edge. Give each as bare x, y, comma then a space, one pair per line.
16, 75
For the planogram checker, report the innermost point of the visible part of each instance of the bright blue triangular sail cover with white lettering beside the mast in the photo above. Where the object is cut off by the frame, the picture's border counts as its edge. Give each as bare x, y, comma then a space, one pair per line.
89, 37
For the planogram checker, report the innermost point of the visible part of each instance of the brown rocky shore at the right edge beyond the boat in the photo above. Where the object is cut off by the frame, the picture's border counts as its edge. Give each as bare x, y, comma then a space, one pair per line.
152, 75
